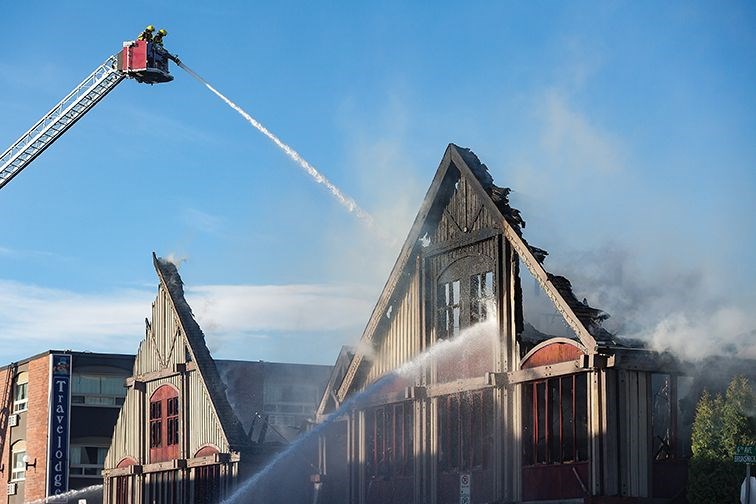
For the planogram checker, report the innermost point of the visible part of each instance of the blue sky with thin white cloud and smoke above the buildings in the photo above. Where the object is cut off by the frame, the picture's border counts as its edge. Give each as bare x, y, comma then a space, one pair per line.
625, 129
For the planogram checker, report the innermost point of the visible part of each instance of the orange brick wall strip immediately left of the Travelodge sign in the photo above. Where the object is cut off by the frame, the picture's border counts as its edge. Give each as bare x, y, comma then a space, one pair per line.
36, 430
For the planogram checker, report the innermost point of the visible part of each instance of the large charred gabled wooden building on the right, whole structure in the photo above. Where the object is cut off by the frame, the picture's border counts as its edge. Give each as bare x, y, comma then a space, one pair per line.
457, 394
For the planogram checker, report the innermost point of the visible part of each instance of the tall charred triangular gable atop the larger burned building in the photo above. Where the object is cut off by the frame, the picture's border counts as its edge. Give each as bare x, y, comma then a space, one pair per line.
463, 213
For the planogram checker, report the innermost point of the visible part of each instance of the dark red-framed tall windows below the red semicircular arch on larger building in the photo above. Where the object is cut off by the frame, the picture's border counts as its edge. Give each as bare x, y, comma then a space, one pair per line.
555, 420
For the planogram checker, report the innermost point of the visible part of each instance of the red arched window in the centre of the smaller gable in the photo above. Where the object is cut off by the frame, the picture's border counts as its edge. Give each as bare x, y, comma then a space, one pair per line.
164, 424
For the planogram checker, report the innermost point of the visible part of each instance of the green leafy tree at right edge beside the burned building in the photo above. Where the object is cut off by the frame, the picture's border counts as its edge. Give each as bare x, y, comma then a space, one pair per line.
721, 423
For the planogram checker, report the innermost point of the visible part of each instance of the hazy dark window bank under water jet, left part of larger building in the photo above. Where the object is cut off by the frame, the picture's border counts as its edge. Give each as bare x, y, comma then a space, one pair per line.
389, 436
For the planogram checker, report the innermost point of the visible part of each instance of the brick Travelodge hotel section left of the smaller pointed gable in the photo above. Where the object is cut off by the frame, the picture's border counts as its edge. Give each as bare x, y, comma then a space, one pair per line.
56, 421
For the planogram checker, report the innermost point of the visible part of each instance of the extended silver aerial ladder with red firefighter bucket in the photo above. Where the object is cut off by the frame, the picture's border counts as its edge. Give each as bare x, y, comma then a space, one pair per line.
141, 60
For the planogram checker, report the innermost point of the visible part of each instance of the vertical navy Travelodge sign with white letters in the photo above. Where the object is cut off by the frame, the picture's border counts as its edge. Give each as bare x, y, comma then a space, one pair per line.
59, 424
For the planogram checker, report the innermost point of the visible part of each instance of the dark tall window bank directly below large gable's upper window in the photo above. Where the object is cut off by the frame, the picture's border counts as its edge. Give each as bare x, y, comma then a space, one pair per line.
465, 431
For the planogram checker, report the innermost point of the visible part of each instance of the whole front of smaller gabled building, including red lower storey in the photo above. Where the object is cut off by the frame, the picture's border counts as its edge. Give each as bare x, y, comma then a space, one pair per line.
177, 438
